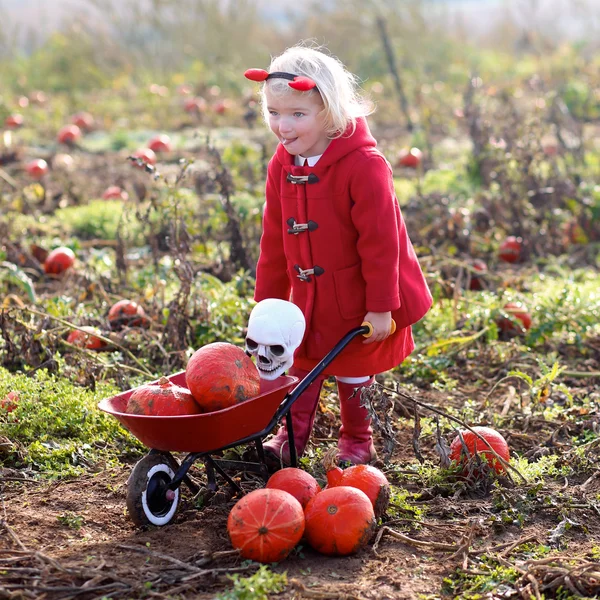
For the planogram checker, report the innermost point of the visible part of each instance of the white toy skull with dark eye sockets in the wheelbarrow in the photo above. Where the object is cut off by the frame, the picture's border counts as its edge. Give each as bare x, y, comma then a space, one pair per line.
275, 330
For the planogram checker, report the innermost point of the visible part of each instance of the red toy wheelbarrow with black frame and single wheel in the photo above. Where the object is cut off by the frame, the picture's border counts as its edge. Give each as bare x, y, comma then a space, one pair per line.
153, 486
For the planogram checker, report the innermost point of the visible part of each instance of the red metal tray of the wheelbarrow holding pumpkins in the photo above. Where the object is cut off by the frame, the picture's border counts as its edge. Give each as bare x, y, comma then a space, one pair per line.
205, 432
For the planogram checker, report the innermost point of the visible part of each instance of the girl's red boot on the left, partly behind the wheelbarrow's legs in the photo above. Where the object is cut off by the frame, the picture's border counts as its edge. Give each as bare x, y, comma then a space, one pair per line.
277, 450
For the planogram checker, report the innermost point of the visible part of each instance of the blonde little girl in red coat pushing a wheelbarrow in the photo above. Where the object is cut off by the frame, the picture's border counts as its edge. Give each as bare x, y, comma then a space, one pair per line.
334, 242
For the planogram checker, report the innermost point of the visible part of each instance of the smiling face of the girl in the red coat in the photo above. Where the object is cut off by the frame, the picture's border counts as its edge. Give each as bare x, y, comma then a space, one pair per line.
297, 121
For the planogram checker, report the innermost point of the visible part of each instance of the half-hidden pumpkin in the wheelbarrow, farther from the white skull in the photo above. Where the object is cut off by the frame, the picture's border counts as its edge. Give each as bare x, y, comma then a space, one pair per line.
162, 399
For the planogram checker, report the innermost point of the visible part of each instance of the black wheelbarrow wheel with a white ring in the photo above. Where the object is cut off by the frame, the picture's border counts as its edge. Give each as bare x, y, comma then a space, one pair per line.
149, 500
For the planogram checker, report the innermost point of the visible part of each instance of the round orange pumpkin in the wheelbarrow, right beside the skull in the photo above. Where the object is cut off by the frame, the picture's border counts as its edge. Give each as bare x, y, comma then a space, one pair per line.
220, 375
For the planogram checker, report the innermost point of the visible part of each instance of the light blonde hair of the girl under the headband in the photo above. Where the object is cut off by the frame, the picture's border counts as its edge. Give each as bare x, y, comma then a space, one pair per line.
339, 89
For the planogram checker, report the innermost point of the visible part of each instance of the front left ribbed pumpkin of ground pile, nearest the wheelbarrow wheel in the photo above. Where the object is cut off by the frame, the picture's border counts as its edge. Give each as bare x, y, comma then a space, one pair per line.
265, 525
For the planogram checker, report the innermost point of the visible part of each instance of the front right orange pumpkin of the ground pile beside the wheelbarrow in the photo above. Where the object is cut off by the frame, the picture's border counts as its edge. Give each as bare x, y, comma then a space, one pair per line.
339, 521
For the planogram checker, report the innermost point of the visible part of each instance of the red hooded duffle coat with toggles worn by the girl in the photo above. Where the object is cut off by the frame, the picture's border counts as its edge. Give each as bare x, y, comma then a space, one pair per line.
344, 222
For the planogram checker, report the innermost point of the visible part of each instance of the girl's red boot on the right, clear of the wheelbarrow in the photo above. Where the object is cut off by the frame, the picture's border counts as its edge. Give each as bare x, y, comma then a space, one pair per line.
355, 441
